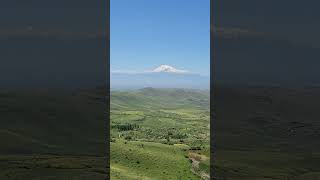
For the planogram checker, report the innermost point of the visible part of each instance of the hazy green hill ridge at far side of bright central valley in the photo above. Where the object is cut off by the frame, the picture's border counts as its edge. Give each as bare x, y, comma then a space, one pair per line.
161, 98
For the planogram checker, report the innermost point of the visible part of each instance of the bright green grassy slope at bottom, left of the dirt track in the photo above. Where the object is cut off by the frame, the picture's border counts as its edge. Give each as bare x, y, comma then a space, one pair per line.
147, 160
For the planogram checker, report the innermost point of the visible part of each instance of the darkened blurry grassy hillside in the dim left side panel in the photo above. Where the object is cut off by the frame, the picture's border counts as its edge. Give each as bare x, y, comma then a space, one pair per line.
52, 134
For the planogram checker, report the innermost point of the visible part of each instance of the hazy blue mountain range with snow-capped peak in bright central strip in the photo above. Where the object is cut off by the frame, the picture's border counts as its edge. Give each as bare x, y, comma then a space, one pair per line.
164, 76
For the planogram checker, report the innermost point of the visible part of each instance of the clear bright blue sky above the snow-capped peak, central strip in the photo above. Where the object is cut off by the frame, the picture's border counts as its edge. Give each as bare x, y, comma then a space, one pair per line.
147, 33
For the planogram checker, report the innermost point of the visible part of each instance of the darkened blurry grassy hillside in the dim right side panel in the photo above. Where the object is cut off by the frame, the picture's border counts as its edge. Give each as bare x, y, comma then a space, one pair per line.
272, 133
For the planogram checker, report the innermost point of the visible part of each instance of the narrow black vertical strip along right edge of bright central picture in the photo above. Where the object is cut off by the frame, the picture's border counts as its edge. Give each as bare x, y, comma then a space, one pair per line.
212, 76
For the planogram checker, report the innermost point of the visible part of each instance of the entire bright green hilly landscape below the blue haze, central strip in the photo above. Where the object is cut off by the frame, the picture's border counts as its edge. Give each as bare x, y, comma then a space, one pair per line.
160, 134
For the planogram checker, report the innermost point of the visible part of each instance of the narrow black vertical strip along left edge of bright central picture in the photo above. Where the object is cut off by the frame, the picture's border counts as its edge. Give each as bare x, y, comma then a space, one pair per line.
107, 60
